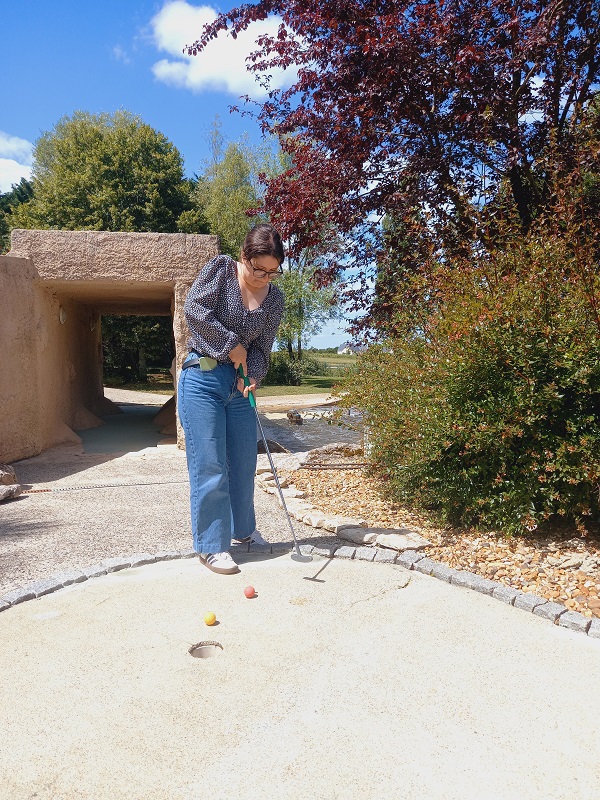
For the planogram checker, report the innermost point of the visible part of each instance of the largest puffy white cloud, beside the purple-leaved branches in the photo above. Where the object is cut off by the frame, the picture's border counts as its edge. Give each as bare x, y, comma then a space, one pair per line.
221, 66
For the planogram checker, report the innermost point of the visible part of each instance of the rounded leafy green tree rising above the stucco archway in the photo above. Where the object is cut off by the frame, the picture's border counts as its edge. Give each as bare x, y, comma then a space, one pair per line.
107, 172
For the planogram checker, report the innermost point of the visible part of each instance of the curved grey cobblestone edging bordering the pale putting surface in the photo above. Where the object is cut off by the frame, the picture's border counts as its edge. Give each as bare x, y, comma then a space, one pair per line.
409, 559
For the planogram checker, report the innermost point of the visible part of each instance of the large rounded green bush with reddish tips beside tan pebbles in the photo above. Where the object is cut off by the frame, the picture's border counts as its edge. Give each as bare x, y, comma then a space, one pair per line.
492, 413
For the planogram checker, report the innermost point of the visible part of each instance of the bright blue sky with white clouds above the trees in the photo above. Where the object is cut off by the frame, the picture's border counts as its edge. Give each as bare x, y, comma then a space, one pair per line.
62, 56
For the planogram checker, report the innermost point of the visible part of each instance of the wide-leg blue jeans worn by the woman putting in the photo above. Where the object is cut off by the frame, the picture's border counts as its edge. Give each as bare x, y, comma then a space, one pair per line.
220, 442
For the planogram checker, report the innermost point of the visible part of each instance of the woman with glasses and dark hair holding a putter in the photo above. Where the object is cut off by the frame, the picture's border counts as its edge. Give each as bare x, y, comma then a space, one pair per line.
233, 312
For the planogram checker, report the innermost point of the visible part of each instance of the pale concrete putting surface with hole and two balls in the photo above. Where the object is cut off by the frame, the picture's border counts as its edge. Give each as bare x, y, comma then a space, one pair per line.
340, 679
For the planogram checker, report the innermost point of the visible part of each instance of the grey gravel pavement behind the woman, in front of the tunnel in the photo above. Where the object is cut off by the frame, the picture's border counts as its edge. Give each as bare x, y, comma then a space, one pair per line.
44, 533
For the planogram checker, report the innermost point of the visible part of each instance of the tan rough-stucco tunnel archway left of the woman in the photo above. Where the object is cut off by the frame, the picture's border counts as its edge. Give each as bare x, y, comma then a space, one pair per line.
54, 286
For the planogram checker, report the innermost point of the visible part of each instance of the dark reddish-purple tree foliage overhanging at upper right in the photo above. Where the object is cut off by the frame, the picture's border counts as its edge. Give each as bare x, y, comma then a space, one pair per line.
443, 106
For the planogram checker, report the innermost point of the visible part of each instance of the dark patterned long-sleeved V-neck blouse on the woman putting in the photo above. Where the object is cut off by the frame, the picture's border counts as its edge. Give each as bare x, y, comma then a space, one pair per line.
218, 320
